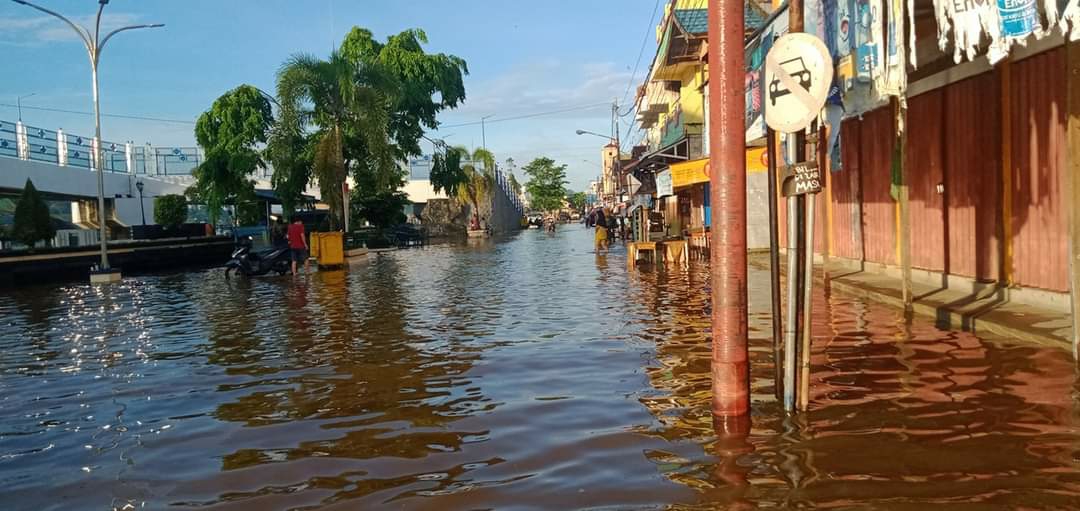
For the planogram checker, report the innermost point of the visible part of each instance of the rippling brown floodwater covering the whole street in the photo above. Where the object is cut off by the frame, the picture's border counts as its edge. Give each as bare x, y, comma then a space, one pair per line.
524, 373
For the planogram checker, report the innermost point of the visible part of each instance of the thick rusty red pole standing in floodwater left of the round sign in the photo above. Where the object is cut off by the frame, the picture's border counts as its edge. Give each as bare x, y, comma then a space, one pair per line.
728, 192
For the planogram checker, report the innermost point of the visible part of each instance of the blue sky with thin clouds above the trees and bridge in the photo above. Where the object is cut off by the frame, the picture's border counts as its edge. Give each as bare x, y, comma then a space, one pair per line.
524, 58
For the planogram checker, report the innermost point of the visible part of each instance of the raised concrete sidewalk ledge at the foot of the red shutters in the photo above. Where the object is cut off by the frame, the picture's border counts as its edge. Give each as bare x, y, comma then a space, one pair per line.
984, 312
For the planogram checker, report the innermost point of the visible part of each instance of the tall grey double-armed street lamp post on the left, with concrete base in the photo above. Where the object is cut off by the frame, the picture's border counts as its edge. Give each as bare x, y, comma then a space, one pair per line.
96, 44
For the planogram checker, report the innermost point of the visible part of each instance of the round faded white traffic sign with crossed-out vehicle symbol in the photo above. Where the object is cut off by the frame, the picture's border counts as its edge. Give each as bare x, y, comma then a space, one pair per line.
799, 72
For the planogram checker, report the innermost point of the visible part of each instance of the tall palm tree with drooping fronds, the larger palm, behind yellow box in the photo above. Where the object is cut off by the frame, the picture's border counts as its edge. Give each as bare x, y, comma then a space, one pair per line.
348, 103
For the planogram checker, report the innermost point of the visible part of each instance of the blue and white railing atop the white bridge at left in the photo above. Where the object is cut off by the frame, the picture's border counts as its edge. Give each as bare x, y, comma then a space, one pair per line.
65, 150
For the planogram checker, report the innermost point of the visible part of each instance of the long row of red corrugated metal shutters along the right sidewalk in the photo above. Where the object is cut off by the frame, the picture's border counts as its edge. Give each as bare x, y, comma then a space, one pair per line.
985, 169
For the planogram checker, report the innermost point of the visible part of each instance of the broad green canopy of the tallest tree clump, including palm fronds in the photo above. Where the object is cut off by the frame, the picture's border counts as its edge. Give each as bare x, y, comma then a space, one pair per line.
370, 104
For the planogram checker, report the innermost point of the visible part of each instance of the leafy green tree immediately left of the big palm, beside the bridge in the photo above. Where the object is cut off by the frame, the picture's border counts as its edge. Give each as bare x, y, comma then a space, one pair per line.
229, 135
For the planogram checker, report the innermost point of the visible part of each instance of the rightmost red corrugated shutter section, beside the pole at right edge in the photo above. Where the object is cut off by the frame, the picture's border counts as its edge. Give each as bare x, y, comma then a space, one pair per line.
1041, 244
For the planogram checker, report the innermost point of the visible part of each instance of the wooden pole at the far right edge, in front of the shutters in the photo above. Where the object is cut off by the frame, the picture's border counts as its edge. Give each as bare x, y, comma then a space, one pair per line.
1073, 171
